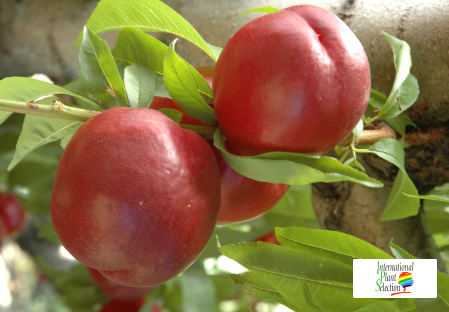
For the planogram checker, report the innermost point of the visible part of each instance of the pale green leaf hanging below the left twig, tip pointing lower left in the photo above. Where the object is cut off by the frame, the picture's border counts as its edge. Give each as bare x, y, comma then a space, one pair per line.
38, 131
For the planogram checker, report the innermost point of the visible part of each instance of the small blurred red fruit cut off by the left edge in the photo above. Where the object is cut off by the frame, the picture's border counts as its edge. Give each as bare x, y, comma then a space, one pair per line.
12, 213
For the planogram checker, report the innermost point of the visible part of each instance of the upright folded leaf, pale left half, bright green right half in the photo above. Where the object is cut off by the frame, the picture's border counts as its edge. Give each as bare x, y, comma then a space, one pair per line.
98, 71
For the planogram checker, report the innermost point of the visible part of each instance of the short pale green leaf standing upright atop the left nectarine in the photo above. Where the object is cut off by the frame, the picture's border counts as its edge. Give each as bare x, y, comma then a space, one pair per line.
140, 82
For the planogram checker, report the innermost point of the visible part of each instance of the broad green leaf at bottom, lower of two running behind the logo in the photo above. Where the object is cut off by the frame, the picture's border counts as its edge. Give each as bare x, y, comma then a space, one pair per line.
300, 277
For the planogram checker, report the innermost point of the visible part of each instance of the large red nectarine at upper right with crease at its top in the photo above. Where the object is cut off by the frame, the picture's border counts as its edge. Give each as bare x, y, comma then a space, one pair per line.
297, 80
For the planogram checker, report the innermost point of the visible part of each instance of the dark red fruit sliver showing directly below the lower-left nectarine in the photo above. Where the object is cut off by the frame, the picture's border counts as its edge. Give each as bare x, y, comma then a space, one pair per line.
116, 291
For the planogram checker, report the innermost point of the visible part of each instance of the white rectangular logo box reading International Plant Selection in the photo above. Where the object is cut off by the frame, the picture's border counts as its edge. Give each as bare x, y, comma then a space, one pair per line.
379, 278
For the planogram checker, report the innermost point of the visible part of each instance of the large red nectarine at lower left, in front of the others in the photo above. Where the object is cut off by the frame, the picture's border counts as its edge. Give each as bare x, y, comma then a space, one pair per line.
135, 196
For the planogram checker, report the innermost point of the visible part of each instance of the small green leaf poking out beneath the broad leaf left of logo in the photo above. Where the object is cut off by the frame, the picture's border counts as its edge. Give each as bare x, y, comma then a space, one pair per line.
258, 288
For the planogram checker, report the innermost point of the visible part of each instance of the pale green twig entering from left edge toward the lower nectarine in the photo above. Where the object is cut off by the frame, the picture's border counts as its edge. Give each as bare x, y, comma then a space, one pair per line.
57, 110
